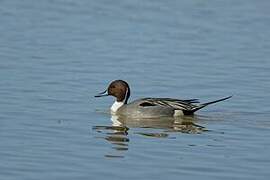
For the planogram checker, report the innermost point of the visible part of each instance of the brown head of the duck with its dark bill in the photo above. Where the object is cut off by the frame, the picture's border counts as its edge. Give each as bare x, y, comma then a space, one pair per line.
119, 89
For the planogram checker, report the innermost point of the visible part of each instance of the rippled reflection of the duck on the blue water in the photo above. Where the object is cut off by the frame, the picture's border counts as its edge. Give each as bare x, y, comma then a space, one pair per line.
118, 133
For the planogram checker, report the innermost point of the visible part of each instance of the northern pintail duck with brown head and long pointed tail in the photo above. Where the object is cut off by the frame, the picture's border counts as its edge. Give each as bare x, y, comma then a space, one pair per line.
150, 107
